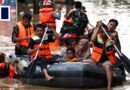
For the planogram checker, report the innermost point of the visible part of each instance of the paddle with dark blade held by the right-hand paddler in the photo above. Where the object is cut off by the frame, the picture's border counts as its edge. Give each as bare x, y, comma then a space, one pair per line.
124, 59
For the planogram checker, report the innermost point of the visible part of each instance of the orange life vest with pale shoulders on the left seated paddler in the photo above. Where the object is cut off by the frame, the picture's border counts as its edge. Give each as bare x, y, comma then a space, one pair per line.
45, 51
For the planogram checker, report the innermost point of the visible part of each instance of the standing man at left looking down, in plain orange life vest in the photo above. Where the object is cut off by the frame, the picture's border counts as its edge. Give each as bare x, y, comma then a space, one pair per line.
21, 35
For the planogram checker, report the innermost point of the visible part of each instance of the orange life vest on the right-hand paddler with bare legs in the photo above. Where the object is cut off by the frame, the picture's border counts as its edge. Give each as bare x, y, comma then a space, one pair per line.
99, 48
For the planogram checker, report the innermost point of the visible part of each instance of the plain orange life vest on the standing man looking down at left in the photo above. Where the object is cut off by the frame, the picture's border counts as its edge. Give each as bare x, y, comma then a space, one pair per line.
23, 33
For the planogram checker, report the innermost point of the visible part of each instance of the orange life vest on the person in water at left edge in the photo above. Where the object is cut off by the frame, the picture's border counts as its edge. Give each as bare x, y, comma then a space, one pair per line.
11, 70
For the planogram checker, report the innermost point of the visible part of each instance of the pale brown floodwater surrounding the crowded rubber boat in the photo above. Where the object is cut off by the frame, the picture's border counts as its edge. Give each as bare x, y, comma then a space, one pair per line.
95, 12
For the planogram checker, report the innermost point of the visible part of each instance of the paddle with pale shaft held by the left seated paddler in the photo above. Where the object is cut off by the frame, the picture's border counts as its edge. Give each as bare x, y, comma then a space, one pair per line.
34, 62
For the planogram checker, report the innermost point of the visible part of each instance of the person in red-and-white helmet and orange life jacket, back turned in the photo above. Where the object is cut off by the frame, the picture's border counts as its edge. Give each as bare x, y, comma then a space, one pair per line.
48, 15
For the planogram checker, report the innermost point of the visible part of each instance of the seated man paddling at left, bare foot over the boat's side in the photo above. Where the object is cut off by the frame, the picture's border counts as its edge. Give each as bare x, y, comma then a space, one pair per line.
44, 54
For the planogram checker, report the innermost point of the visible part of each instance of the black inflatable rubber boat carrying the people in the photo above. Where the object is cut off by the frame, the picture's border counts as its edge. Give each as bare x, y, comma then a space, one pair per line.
74, 75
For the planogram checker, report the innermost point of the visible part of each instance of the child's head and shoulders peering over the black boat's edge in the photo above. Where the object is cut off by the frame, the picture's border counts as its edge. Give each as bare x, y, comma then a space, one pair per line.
71, 55
